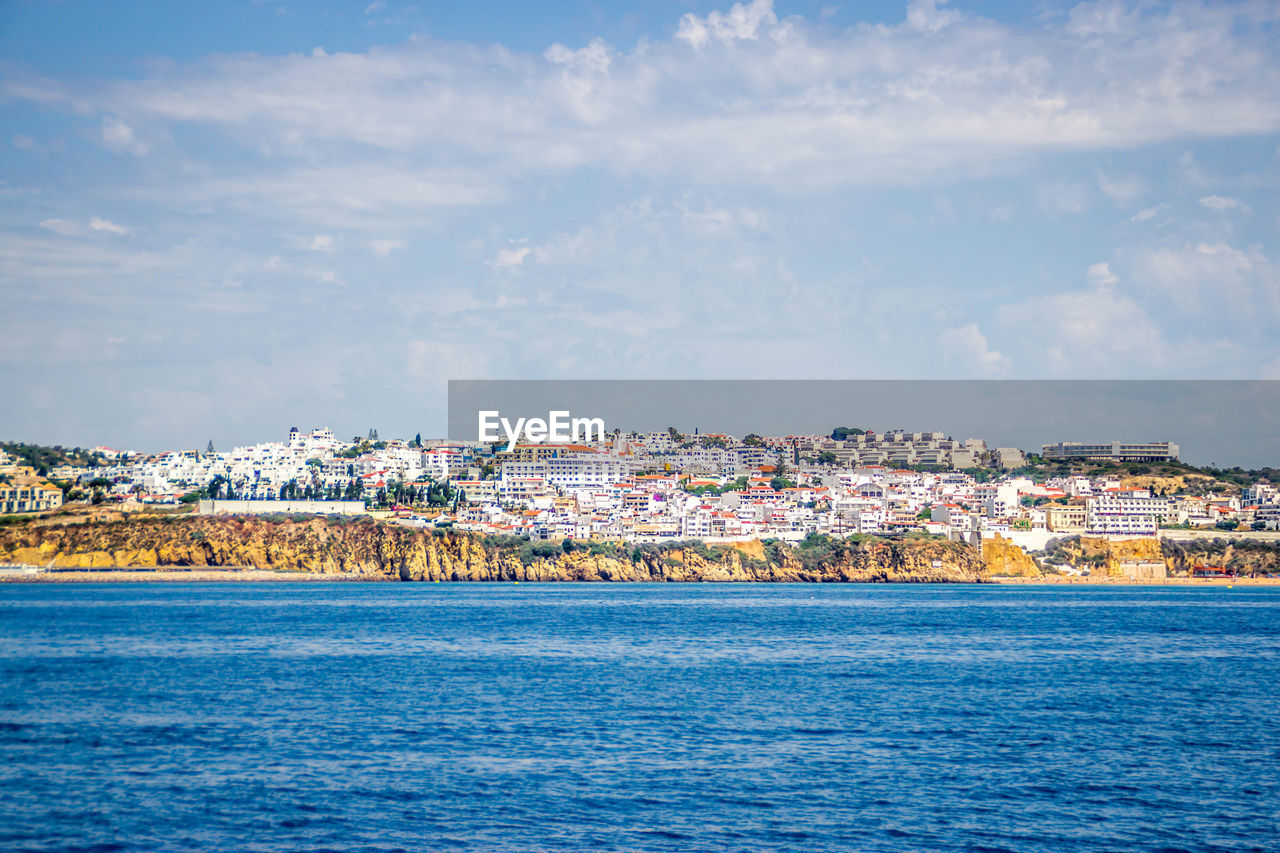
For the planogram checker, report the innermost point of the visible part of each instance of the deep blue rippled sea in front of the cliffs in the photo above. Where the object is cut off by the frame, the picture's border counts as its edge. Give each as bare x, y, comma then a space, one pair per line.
641, 718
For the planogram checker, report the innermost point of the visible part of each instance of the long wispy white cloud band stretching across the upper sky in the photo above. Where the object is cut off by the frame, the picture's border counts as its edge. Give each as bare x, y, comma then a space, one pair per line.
790, 104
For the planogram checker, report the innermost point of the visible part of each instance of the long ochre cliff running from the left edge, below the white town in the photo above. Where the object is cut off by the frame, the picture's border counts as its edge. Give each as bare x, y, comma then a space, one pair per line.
388, 551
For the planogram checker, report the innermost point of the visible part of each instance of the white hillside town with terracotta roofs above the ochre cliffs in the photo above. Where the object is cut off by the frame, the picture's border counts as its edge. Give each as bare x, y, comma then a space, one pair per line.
671, 486
